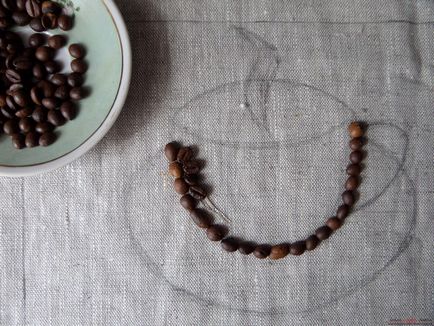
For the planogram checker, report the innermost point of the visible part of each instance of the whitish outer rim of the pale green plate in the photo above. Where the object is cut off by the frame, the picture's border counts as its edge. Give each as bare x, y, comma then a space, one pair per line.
106, 125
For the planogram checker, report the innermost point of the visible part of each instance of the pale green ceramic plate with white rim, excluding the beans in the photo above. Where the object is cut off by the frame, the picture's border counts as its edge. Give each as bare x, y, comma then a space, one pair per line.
100, 27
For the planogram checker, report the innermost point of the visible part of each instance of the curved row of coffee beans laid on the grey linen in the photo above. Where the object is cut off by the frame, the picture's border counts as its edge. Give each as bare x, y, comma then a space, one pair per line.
184, 168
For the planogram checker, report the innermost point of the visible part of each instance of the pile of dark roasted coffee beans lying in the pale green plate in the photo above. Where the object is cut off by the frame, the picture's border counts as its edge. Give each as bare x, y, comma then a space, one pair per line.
35, 97
